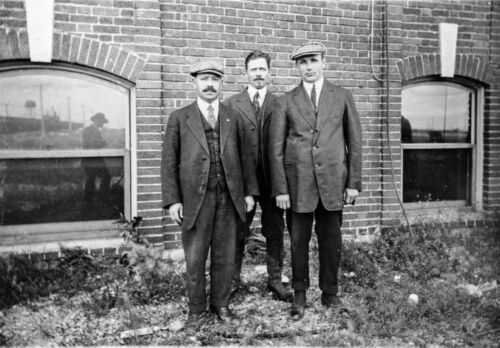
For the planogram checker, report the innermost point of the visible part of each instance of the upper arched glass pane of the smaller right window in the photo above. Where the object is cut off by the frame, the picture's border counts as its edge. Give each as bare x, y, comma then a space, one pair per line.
436, 113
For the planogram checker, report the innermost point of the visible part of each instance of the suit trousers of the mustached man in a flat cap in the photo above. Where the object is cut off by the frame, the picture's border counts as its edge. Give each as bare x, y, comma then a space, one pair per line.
214, 230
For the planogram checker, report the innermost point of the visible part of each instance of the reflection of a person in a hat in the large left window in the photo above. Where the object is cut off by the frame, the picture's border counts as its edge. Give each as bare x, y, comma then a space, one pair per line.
95, 167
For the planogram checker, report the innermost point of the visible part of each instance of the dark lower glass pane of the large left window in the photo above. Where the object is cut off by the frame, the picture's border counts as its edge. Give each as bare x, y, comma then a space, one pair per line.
59, 190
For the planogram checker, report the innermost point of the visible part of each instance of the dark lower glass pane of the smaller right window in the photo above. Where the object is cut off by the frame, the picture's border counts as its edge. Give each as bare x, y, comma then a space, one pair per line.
436, 175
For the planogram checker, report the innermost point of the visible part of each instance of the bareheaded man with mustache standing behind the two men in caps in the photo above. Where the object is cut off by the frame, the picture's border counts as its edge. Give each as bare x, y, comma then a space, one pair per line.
257, 104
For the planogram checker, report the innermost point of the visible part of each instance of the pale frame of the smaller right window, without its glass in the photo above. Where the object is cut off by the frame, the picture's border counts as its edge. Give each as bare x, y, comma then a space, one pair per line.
476, 145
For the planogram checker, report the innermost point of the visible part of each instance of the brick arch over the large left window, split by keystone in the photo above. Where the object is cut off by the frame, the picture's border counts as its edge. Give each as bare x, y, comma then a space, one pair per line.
76, 49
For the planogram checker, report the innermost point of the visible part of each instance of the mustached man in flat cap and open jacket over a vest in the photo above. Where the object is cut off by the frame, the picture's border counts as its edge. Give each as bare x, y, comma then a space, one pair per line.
208, 181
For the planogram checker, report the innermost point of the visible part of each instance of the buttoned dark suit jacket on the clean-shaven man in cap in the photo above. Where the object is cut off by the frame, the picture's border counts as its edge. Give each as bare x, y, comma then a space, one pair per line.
315, 157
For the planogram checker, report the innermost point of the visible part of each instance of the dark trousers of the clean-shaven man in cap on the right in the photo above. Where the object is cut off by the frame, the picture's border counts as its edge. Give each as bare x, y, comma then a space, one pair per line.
329, 236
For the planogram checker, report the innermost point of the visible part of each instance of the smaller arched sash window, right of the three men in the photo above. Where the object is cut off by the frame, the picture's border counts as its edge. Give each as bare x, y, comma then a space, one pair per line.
439, 135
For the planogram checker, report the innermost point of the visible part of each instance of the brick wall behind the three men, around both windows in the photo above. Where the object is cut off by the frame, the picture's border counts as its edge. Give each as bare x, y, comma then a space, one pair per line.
169, 35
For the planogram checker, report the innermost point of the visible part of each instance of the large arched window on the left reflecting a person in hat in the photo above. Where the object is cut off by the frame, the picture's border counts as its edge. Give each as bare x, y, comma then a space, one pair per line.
63, 149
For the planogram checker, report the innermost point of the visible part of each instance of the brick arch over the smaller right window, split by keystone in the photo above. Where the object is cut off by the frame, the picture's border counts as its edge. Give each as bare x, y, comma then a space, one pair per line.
466, 65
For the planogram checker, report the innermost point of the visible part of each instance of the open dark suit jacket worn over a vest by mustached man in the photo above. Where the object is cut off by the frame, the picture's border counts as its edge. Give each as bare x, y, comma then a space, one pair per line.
186, 161
